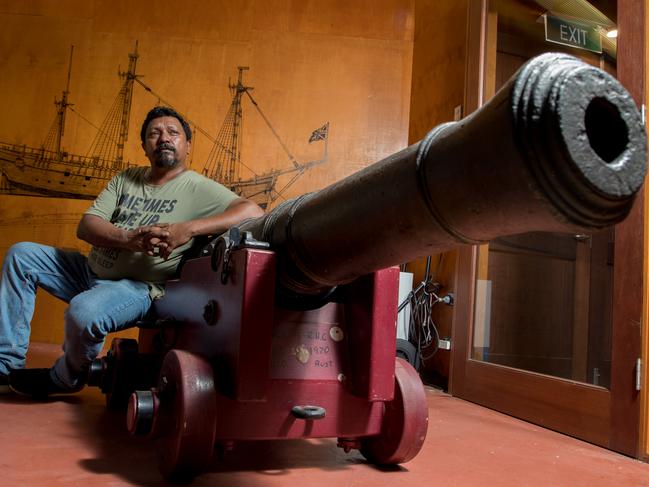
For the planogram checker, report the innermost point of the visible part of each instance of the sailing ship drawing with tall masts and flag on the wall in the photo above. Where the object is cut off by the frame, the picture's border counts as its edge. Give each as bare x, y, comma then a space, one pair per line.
51, 171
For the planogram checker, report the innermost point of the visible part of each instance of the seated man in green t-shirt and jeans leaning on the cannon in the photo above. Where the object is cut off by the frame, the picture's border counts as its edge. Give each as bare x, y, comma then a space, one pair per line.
139, 227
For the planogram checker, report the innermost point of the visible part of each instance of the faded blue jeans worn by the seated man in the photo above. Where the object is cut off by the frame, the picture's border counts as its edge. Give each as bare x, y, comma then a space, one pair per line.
96, 307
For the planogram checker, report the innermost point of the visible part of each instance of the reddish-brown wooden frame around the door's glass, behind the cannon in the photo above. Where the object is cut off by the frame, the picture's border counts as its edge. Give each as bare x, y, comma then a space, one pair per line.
607, 418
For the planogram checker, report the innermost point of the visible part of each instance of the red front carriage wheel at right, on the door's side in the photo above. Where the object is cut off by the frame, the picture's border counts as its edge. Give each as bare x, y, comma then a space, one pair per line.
405, 421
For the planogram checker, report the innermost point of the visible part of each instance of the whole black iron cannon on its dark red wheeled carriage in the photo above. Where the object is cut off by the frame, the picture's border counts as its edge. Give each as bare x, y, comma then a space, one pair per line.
284, 327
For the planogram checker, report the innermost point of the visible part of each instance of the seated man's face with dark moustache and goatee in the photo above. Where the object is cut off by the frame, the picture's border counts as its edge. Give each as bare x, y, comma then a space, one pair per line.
165, 143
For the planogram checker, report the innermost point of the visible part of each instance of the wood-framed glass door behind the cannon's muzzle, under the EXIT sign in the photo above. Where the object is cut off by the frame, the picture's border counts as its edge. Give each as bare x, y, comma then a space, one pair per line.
547, 325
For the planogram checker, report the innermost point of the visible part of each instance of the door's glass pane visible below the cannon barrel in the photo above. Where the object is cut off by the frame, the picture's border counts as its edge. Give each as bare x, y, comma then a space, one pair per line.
543, 304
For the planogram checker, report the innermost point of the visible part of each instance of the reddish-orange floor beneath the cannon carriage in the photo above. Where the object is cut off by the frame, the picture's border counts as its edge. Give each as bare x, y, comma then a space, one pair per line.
75, 441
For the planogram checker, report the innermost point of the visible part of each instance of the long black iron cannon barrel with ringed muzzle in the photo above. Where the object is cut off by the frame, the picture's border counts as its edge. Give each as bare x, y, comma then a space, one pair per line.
561, 147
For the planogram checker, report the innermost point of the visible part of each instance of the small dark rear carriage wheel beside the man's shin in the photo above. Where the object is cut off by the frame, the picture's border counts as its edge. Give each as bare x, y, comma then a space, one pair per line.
122, 370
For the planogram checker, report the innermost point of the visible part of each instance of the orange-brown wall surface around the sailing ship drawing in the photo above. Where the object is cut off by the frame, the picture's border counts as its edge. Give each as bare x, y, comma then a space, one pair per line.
311, 62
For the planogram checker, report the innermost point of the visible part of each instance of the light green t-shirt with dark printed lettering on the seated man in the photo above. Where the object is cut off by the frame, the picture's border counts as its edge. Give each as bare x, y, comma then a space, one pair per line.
129, 202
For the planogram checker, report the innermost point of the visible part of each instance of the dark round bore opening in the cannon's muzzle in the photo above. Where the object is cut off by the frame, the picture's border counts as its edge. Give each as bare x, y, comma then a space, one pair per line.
606, 130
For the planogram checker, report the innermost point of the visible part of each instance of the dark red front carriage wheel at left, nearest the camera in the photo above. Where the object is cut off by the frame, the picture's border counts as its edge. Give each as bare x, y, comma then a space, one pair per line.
186, 422
